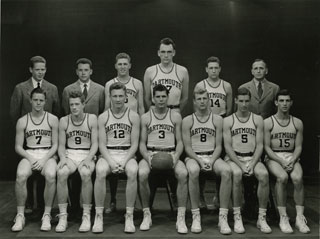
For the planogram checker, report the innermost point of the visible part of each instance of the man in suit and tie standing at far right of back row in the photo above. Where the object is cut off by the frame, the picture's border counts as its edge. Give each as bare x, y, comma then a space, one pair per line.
263, 91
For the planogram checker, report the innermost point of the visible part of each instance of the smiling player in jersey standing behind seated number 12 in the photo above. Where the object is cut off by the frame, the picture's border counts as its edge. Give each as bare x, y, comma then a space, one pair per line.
134, 101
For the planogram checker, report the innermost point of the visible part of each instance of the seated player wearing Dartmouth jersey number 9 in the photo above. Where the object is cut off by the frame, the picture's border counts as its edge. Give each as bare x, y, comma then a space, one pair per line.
78, 144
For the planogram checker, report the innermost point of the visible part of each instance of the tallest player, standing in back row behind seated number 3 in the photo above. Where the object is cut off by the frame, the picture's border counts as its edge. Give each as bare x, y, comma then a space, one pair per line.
169, 74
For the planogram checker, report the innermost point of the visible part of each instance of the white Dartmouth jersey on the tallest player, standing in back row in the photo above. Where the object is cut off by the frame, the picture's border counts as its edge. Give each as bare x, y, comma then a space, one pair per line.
171, 81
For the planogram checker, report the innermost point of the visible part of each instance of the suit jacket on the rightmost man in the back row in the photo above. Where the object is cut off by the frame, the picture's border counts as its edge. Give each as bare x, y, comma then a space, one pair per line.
263, 106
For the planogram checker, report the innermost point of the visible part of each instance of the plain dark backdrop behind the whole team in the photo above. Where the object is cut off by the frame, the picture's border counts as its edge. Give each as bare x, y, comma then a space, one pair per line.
284, 33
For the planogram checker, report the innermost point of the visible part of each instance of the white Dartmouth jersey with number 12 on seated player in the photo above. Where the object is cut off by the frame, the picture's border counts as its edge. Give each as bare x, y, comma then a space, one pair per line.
118, 129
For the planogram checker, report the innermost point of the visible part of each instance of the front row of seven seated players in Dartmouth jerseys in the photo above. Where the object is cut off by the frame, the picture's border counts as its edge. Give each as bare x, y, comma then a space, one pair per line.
160, 132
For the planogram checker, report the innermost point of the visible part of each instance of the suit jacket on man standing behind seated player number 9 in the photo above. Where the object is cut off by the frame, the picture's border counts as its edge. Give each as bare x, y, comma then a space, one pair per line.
94, 103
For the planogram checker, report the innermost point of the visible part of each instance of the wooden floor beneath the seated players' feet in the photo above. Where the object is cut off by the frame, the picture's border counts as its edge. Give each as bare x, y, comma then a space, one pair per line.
163, 219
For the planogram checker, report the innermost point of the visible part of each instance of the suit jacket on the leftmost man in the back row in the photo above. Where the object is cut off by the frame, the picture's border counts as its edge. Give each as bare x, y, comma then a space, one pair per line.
20, 99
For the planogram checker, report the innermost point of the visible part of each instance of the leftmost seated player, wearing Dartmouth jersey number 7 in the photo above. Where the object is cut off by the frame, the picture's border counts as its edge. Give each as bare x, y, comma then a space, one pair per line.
38, 130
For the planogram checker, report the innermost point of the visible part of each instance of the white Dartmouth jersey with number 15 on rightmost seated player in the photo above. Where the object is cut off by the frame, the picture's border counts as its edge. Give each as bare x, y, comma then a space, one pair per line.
283, 136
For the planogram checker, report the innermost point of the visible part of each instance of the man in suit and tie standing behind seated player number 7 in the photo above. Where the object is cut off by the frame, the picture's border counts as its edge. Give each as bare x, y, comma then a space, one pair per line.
20, 105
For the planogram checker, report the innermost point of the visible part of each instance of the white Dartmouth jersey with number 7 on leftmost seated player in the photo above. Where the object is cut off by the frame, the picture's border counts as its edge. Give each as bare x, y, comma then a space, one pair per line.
38, 135
